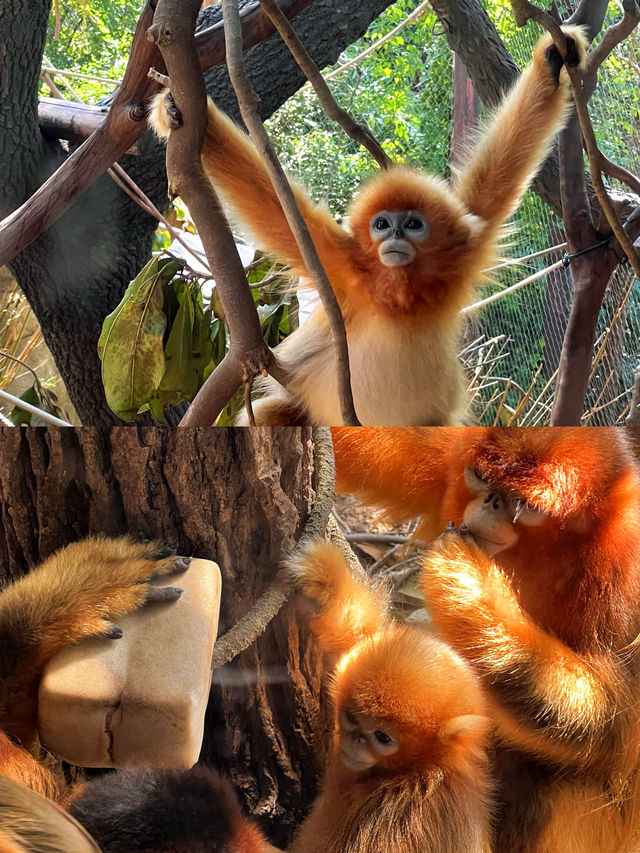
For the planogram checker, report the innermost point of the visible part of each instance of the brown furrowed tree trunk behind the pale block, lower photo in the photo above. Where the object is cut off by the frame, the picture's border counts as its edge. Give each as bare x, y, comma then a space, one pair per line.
239, 497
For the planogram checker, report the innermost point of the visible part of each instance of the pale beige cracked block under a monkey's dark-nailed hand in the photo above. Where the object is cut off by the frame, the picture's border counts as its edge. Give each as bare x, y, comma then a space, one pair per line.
140, 700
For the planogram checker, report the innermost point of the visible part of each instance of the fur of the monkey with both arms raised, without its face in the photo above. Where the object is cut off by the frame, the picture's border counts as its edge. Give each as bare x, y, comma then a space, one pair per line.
402, 322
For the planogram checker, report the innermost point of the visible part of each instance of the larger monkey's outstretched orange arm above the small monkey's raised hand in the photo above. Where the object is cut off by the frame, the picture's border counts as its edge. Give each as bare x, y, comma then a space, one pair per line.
402, 469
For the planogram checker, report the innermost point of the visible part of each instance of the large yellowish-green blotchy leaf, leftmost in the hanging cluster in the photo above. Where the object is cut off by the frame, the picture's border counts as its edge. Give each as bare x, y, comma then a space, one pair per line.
130, 345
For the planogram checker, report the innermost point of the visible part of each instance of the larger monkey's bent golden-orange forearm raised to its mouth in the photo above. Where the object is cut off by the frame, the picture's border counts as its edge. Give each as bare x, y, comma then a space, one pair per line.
546, 699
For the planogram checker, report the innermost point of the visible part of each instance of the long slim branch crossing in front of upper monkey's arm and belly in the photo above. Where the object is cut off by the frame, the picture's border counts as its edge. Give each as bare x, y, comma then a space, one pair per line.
248, 102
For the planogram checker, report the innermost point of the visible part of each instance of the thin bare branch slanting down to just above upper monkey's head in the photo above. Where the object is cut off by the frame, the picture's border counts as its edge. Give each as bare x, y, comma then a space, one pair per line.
356, 131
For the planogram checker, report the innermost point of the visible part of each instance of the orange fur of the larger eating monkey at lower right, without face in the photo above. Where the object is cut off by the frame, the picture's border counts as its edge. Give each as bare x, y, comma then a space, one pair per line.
550, 624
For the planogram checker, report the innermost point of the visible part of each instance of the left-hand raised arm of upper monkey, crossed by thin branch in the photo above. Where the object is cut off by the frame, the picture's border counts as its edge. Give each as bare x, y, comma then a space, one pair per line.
237, 171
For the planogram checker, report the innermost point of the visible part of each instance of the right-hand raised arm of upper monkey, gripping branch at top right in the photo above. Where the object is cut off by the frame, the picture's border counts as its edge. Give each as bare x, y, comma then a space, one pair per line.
521, 133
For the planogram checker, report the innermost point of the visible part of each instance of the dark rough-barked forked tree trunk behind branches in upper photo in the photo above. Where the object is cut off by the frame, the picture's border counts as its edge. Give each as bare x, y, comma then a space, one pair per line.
75, 274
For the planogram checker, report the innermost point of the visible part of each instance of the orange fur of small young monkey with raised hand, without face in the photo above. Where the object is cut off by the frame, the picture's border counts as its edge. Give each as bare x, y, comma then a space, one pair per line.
432, 793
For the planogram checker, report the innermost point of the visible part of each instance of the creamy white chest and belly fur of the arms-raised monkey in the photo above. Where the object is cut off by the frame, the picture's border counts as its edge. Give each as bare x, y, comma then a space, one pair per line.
399, 376
